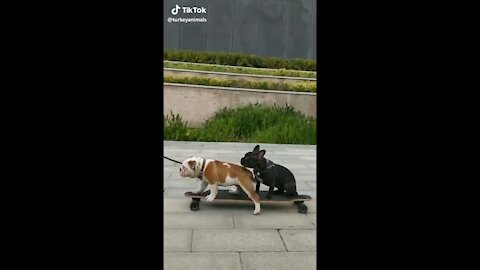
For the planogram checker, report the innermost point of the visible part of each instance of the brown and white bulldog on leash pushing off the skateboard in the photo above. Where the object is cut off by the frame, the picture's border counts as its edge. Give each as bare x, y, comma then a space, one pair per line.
221, 173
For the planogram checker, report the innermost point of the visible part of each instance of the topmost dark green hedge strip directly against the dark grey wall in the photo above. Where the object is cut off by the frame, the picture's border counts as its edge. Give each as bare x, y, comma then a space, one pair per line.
237, 59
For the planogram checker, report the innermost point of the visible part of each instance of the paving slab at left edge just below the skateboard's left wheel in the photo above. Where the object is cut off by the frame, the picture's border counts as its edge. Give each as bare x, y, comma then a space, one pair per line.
198, 220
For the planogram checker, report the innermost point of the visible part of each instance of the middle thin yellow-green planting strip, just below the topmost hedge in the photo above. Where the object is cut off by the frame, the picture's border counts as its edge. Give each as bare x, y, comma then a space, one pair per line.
241, 70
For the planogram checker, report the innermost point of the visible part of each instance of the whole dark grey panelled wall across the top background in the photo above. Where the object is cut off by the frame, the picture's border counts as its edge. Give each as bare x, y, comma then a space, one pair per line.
280, 28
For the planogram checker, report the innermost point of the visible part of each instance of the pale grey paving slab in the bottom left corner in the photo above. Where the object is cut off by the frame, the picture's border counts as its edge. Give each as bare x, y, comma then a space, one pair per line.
201, 261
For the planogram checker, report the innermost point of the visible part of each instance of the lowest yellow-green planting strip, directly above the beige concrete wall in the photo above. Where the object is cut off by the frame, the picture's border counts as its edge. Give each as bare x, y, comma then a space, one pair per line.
282, 86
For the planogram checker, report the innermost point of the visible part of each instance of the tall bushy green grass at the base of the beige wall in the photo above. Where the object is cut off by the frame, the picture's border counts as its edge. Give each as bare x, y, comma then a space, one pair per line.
252, 123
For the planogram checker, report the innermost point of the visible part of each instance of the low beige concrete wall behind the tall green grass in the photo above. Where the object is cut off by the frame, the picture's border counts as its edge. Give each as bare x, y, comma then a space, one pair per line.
196, 104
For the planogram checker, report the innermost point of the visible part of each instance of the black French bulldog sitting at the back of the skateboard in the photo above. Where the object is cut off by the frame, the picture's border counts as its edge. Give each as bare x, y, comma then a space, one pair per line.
270, 174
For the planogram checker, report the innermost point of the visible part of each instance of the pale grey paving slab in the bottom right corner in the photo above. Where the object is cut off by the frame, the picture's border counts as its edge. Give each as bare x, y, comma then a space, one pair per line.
278, 260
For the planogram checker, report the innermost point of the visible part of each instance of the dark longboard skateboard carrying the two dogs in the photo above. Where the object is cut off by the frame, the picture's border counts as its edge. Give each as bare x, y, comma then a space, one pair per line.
225, 195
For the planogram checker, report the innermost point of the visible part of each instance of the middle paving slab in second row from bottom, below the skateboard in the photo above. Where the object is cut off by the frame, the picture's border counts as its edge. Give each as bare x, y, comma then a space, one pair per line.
237, 240
